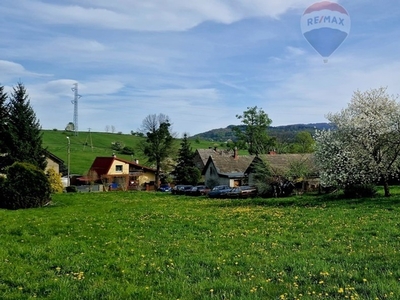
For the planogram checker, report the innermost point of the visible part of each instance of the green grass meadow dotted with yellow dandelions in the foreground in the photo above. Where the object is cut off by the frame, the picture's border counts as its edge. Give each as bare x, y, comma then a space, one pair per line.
138, 245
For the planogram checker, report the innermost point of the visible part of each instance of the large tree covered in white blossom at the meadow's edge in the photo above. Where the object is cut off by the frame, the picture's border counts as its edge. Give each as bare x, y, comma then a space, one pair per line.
365, 145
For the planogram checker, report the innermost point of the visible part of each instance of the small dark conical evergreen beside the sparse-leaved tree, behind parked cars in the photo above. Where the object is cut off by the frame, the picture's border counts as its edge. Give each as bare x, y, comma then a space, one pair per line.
185, 171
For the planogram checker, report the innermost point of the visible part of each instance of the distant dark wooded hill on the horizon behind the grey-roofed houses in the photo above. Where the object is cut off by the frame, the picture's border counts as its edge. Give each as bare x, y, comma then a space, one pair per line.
286, 133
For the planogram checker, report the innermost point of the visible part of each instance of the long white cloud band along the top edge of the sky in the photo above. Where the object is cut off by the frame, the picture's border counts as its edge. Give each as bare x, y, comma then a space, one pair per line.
157, 15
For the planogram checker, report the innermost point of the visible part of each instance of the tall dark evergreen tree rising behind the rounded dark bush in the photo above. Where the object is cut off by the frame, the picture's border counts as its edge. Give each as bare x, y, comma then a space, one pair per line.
25, 136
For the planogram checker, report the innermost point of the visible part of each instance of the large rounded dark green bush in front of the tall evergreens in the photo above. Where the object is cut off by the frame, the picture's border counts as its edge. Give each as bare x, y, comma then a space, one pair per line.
26, 186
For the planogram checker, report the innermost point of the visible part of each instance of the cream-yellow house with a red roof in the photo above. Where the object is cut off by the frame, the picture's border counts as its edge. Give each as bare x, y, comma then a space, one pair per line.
119, 173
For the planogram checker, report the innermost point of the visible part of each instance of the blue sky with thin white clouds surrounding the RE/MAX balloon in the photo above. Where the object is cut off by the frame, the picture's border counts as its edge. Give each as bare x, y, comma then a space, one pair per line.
199, 62
